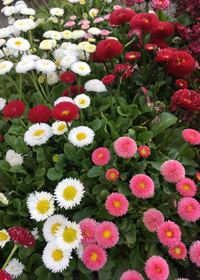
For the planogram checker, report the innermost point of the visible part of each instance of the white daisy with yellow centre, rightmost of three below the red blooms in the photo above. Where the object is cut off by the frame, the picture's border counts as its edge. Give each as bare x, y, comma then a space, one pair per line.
81, 136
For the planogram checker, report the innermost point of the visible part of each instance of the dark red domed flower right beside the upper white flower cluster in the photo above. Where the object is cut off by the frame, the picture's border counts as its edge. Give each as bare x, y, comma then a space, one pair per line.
108, 49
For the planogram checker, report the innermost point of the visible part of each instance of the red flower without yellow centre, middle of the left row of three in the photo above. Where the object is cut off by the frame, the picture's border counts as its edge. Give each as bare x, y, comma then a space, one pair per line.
39, 114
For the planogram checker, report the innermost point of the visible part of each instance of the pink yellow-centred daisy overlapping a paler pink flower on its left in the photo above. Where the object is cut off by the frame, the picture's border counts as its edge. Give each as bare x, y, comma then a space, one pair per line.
107, 234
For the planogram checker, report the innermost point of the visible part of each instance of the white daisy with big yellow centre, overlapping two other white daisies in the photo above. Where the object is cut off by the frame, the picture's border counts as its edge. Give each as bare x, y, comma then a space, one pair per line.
68, 236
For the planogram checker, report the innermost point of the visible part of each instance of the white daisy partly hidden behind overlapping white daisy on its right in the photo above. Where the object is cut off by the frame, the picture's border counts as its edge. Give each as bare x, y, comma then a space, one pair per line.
51, 225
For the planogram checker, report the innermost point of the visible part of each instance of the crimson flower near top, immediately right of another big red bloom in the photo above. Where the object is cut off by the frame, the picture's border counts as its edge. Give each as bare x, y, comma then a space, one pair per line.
146, 22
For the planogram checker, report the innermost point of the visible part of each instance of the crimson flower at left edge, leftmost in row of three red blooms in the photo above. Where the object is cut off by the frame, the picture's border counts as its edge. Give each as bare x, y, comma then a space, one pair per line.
14, 109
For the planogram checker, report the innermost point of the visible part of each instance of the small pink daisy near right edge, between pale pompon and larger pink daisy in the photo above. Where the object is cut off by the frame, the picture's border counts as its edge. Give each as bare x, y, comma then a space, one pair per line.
186, 187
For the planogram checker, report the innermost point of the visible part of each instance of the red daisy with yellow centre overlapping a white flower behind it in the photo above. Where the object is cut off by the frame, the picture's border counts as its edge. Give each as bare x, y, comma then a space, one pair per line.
65, 111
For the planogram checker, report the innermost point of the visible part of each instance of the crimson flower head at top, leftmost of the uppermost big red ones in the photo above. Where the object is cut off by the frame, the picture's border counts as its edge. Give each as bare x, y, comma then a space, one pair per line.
121, 16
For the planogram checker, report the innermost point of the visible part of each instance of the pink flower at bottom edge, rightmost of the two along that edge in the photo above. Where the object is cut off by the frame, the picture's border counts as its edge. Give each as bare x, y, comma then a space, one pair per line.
156, 268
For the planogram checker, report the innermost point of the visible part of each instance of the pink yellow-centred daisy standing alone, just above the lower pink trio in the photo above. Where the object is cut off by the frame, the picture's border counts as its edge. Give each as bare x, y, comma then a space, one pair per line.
117, 204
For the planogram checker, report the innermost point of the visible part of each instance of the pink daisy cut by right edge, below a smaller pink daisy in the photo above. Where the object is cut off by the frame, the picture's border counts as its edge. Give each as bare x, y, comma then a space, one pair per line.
189, 209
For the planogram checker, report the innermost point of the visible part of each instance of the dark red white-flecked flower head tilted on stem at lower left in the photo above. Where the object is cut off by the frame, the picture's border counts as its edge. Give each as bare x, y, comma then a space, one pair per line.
22, 236
